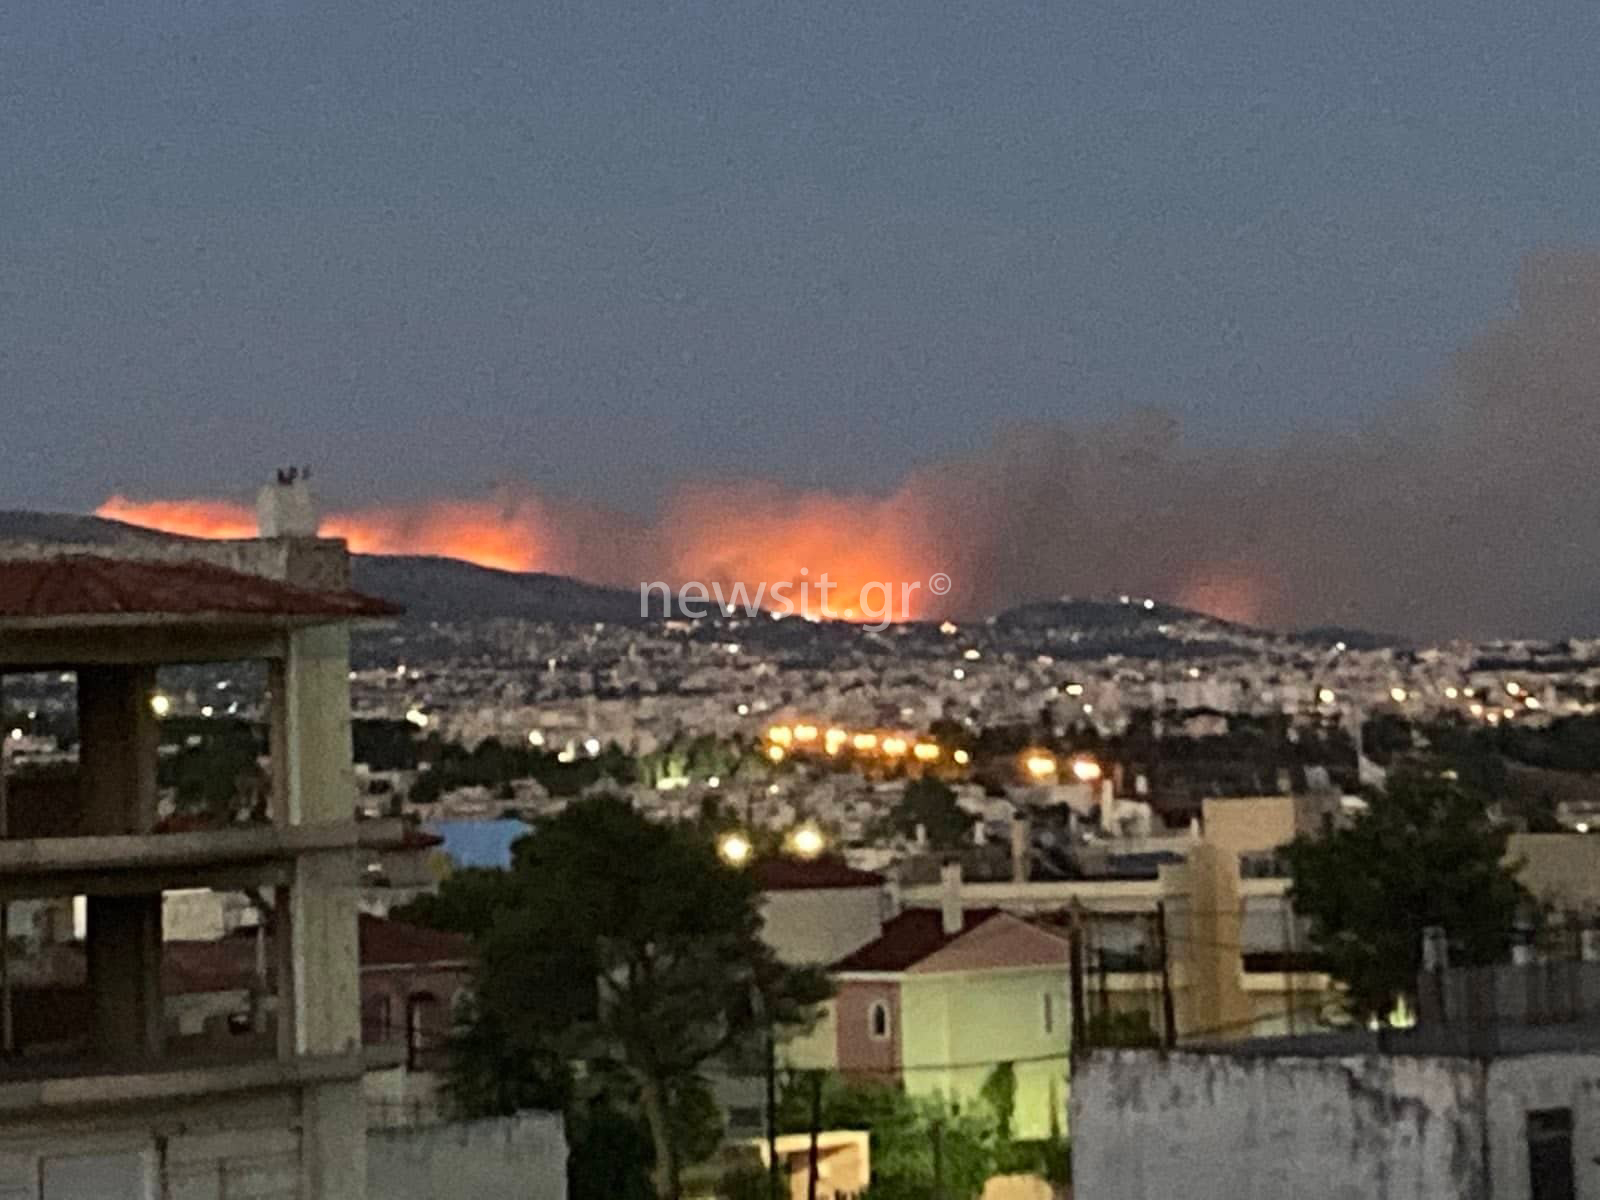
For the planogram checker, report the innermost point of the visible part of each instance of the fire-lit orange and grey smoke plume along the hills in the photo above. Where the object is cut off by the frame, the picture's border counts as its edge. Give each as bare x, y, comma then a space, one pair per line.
1468, 513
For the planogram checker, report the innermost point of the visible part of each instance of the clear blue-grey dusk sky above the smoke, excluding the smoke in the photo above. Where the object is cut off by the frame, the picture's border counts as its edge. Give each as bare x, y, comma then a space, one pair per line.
612, 252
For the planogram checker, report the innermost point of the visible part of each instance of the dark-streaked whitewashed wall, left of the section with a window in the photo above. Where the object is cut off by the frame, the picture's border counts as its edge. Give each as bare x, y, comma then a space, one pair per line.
1218, 1127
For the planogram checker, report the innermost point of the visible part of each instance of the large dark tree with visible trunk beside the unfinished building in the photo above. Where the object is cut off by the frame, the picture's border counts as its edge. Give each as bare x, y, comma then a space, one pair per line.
631, 948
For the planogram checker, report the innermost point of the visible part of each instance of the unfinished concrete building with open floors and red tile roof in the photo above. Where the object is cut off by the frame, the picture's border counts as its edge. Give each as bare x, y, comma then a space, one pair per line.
100, 1094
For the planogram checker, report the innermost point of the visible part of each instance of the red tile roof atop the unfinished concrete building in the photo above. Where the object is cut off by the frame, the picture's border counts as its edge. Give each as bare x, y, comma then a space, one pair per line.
86, 585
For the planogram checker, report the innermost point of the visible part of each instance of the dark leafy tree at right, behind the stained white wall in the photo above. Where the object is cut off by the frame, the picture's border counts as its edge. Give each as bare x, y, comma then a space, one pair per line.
1423, 854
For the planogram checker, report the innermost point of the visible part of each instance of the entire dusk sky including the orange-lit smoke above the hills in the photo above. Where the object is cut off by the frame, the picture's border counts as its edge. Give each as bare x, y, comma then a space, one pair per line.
1284, 319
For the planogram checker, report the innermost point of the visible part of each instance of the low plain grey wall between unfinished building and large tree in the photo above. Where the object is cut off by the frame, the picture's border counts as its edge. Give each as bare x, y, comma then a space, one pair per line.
521, 1158
